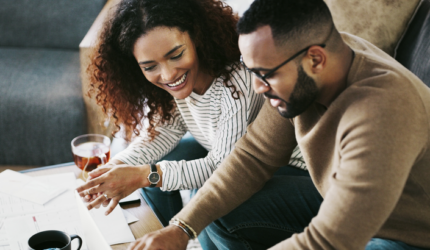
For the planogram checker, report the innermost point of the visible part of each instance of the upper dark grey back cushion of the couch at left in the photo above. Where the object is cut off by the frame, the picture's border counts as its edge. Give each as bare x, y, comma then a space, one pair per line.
46, 23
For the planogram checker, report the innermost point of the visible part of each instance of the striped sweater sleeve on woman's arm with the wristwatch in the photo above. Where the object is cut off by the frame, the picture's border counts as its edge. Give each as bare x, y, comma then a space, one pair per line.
236, 114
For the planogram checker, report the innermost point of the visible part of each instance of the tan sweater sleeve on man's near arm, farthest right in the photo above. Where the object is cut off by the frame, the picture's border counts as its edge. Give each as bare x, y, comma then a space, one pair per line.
381, 136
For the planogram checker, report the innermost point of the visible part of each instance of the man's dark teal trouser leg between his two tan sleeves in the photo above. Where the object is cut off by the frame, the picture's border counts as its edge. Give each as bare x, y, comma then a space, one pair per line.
284, 206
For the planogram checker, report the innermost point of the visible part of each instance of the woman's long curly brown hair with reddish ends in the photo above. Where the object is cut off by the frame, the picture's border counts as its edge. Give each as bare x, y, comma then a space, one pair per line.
116, 78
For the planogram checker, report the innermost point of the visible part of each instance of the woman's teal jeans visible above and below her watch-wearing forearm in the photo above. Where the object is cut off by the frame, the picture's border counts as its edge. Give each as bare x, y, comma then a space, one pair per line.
169, 203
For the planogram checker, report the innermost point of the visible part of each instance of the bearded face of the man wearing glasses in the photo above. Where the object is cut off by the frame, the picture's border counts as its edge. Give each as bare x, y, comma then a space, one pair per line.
291, 90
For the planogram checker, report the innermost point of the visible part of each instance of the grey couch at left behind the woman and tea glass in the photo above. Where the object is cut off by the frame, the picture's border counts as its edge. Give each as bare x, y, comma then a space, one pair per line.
41, 103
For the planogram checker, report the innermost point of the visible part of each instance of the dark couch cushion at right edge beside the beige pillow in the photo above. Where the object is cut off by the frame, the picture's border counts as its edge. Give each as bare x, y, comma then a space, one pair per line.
414, 48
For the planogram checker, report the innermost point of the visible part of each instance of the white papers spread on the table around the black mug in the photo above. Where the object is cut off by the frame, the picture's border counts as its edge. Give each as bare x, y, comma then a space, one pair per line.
32, 204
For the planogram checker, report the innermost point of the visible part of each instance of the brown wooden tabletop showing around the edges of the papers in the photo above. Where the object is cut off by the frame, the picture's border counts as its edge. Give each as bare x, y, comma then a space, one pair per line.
147, 223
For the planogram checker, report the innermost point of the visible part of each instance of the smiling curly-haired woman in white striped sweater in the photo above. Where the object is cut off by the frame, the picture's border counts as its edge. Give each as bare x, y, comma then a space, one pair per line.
173, 64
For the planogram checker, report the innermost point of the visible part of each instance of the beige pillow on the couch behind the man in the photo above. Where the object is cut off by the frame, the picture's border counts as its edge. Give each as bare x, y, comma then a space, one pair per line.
381, 22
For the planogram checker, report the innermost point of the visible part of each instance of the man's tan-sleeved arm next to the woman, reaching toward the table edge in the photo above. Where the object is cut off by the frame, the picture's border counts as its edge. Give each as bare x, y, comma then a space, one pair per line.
265, 147
